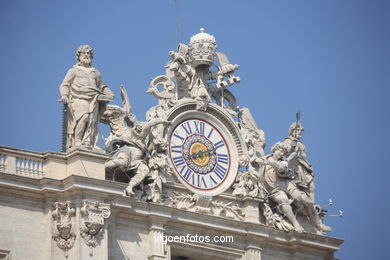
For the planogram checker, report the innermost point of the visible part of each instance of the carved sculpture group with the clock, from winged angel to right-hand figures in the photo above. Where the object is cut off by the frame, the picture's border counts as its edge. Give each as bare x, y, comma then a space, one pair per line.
199, 137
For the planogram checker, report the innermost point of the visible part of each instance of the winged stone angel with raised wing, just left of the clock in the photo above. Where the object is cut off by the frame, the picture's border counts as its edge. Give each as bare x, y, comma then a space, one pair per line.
128, 143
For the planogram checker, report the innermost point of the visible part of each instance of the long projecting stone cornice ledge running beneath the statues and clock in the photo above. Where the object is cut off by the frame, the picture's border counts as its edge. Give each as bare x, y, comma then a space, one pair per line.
112, 192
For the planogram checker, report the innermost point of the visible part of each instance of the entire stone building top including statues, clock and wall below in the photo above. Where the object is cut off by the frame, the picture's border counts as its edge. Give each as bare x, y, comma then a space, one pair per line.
191, 182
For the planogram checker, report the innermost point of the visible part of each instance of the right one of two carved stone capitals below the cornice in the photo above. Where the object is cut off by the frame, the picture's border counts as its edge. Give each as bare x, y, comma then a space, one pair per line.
92, 223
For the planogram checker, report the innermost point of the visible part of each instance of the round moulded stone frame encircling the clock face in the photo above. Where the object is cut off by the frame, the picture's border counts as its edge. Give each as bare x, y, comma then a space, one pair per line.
186, 109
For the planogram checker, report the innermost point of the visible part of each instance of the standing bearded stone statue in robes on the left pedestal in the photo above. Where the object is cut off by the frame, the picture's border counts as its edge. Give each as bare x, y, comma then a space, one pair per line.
85, 94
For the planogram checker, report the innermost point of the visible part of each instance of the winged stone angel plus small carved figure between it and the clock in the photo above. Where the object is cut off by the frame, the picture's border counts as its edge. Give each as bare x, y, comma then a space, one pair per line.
128, 144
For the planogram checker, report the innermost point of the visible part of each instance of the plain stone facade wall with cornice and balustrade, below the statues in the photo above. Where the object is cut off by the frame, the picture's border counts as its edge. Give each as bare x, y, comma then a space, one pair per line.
28, 203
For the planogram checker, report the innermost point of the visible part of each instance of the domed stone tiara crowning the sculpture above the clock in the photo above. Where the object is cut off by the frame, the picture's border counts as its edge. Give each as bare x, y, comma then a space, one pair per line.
202, 49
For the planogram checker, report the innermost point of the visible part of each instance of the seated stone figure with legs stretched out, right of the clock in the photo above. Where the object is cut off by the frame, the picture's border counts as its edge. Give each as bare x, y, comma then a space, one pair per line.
287, 195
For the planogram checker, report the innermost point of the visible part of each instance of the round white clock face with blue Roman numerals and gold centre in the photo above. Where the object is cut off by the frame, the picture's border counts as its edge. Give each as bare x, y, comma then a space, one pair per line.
200, 155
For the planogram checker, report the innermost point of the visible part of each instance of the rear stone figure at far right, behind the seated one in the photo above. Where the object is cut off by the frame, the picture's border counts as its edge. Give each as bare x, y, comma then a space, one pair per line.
303, 170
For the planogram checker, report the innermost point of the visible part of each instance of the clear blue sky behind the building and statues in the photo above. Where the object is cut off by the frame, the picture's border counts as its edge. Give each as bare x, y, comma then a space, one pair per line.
329, 59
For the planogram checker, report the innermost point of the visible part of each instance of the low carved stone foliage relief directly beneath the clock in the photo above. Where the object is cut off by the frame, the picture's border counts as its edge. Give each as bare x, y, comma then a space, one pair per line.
205, 204
